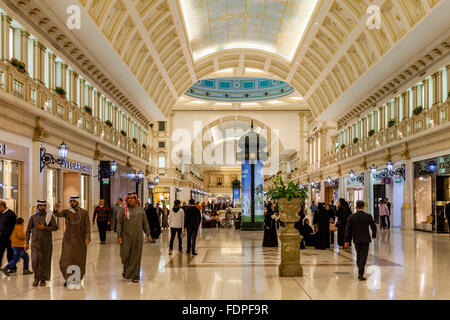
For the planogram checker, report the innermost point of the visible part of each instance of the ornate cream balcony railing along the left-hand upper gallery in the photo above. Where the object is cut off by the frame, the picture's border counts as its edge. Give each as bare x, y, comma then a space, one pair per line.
39, 96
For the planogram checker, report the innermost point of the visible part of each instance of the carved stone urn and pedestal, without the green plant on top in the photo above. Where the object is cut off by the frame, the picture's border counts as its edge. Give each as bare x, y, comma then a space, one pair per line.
290, 239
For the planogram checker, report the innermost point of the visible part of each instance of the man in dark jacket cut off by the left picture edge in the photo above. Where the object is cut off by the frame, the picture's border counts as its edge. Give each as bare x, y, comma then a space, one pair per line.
7, 222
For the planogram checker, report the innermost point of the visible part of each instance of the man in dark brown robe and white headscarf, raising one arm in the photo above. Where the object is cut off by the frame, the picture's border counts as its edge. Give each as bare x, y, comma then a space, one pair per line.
76, 237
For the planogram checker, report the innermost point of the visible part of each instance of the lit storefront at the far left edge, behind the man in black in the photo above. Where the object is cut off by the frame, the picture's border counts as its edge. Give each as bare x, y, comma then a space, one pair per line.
14, 177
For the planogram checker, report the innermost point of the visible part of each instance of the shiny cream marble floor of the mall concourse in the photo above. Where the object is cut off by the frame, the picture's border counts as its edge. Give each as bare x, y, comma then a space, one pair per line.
231, 264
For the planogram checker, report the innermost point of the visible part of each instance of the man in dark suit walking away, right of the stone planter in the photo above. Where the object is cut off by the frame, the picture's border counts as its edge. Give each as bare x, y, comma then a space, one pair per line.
358, 230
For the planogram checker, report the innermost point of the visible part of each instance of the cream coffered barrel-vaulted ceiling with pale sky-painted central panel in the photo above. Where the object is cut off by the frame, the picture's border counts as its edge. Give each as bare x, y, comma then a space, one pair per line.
155, 41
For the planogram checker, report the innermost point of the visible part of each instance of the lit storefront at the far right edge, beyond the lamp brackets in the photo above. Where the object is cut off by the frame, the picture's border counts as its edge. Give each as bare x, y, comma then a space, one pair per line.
431, 193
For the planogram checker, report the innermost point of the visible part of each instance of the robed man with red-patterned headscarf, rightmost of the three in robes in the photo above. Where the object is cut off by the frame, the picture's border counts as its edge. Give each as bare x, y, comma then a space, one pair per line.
131, 224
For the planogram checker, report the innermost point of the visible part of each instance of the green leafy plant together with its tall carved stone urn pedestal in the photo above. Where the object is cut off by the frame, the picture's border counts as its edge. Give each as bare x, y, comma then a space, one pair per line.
289, 197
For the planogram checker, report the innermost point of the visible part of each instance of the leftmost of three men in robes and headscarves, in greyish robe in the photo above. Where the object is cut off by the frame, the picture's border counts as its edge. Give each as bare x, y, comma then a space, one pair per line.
40, 227
